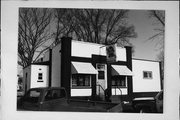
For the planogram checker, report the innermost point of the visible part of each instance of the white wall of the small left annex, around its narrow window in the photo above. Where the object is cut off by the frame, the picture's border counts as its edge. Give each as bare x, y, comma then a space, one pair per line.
35, 70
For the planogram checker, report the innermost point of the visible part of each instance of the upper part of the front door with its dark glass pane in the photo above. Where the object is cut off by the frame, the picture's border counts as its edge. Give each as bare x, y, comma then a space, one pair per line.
101, 71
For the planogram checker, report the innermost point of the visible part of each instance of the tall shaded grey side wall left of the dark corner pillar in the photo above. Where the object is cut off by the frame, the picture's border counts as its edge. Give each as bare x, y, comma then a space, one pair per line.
56, 66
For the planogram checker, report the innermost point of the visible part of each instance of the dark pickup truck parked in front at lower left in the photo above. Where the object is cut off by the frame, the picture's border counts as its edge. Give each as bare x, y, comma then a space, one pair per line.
55, 99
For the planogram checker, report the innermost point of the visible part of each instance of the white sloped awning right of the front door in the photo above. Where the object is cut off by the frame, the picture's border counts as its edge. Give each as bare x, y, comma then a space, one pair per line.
121, 70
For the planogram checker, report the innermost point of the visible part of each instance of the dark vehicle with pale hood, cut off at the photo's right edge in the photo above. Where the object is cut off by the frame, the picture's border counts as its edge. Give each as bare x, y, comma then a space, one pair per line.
149, 104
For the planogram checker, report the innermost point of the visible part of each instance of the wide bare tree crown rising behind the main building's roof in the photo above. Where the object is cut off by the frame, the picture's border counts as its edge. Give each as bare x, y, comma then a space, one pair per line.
95, 25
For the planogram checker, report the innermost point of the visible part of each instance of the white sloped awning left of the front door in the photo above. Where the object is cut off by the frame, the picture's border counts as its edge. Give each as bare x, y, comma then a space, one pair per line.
82, 68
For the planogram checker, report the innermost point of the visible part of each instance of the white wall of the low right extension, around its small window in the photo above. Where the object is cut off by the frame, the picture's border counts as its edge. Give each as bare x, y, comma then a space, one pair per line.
145, 85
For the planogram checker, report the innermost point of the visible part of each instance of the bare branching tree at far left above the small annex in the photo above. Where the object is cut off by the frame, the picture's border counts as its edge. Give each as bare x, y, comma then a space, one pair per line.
33, 34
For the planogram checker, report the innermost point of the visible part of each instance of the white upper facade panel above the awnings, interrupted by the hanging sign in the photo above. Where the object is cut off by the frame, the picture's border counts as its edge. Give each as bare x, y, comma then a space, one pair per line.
86, 49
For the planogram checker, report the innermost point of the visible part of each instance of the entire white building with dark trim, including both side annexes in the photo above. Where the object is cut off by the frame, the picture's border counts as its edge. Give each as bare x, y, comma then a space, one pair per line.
87, 69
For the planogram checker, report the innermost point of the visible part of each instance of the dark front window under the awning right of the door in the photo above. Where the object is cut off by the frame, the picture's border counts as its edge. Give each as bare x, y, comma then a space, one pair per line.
119, 81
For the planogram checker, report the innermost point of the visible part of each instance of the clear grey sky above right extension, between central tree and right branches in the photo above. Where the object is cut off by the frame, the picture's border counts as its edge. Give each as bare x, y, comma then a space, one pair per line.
144, 26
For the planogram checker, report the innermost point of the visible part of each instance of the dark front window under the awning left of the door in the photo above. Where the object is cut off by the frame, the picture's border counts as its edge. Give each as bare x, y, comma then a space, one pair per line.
79, 80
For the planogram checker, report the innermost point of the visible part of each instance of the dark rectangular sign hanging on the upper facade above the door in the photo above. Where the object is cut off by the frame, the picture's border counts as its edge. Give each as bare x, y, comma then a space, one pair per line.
111, 53
